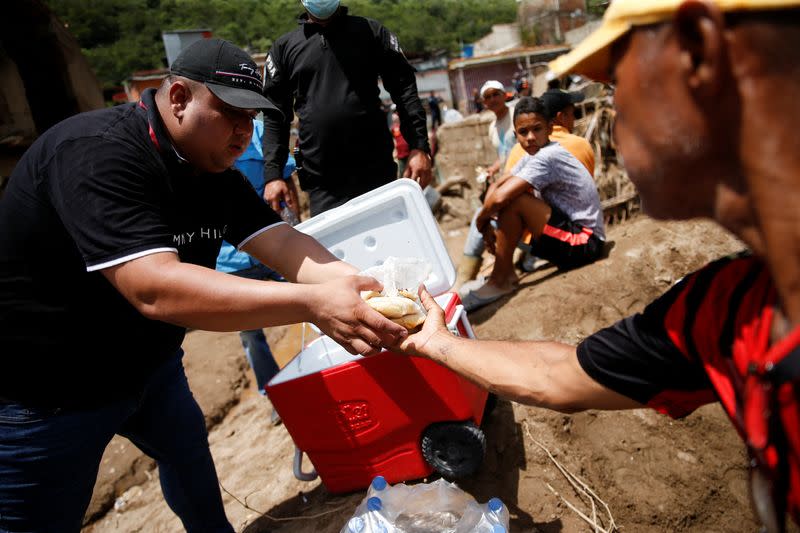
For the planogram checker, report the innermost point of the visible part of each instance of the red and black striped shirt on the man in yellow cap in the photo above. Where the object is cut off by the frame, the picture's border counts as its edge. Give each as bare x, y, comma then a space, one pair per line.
708, 339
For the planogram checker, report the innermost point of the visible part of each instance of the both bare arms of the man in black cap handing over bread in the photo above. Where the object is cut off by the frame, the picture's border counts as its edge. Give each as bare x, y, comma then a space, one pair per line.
163, 288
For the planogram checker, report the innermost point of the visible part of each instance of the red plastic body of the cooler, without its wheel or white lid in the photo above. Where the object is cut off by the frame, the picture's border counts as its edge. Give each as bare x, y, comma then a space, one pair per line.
365, 417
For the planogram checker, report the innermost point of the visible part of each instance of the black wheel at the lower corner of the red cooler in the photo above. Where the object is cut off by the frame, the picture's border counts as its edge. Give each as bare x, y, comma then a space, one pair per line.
454, 449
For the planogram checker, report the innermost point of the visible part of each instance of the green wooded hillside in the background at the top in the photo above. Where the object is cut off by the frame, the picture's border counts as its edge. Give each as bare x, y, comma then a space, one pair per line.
119, 37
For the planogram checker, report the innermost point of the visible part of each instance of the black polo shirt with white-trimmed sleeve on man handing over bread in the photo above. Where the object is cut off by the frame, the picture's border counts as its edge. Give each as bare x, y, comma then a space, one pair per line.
96, 190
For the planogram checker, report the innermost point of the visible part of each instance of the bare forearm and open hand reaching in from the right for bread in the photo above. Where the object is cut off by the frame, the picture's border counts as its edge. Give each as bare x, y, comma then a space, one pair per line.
545, 374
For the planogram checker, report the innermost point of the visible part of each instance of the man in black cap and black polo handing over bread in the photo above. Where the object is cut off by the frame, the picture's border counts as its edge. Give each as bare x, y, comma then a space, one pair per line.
114, 220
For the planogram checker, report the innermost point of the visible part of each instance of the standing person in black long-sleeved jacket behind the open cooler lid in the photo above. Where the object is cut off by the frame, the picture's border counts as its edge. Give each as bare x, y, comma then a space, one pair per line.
327, 72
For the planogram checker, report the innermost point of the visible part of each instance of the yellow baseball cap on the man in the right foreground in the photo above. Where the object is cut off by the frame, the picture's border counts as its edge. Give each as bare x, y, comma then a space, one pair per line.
592, 56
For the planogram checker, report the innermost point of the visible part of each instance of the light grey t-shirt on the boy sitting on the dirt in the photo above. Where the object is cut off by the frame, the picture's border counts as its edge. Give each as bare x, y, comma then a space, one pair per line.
564, 183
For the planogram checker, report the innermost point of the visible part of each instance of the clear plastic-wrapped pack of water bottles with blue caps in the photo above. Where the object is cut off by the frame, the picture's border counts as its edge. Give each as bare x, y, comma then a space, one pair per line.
439, 507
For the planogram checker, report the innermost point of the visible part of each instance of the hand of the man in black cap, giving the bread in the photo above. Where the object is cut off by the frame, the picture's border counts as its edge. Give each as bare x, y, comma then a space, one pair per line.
343, 315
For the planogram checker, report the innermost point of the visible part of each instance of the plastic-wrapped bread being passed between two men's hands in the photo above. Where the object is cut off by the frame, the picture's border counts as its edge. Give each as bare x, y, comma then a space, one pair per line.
398, 301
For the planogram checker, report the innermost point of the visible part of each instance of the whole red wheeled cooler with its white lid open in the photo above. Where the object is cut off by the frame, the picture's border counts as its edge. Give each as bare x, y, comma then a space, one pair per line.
355, 417
